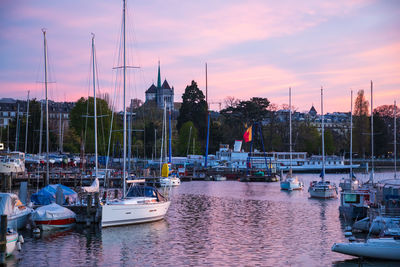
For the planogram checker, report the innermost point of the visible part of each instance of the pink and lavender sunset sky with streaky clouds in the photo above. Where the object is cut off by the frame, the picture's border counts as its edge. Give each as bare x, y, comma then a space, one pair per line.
252, 48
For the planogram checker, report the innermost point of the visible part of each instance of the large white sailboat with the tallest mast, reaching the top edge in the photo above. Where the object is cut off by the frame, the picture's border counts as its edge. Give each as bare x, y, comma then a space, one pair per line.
140, 203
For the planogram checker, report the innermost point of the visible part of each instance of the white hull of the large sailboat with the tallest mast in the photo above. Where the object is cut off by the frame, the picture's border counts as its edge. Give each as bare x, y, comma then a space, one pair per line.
123, 214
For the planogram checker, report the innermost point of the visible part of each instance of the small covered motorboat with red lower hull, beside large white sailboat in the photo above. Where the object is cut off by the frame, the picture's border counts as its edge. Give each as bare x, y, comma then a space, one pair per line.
53, 216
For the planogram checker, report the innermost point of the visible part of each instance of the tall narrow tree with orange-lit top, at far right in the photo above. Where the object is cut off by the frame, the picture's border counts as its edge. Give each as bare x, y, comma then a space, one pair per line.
361, 125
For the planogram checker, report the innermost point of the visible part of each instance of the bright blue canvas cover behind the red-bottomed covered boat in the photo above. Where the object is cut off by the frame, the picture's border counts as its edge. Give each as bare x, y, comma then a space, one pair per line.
48, 194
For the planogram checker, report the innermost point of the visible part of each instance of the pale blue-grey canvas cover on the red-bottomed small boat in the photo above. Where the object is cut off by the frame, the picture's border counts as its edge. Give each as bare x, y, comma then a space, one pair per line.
52, 212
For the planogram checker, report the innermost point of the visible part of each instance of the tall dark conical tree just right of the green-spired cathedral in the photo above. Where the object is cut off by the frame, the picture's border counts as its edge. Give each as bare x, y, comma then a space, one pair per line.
194, 108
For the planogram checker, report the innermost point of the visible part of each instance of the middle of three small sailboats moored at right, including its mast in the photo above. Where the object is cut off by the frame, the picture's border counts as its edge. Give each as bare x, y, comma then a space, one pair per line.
323, 188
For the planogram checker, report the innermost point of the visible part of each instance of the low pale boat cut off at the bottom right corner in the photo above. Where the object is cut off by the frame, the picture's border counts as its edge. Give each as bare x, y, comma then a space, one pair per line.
379, 248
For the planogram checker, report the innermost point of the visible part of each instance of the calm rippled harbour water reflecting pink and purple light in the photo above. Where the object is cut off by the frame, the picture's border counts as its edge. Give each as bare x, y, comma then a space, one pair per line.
211, 224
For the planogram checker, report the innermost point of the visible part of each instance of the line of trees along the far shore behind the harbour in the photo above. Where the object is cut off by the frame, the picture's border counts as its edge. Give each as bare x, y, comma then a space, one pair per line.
189, 128
